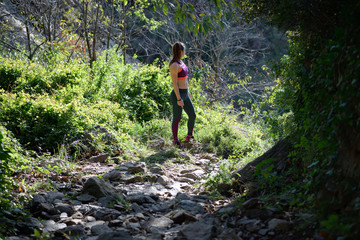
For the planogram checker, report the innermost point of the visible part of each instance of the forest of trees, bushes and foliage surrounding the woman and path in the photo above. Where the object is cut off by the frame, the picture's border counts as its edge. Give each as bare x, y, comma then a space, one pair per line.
69, 67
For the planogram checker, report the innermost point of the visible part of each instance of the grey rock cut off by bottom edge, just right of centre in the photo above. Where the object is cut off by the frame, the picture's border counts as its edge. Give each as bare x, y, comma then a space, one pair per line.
198, 231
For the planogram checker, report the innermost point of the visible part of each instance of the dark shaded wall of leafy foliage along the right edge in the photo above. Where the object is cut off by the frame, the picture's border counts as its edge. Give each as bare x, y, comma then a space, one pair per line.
318, 92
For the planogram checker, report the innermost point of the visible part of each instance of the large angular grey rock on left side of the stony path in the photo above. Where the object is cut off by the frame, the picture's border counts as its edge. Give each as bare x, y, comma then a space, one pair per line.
99, 188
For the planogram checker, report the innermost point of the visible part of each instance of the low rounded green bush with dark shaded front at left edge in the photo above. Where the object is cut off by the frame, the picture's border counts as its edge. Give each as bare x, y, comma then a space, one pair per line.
40, 123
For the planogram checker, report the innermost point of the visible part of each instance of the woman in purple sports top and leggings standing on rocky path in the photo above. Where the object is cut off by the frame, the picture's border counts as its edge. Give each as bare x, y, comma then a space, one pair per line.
180, 97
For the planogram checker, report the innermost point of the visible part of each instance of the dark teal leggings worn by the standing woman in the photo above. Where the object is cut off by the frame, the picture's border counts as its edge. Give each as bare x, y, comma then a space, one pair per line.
177, 112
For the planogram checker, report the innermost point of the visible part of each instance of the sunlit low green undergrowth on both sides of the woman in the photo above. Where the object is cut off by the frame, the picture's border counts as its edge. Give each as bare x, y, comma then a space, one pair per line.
64, 110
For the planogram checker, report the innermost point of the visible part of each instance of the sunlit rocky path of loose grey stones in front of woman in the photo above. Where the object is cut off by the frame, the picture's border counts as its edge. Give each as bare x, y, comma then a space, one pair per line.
149, 200
